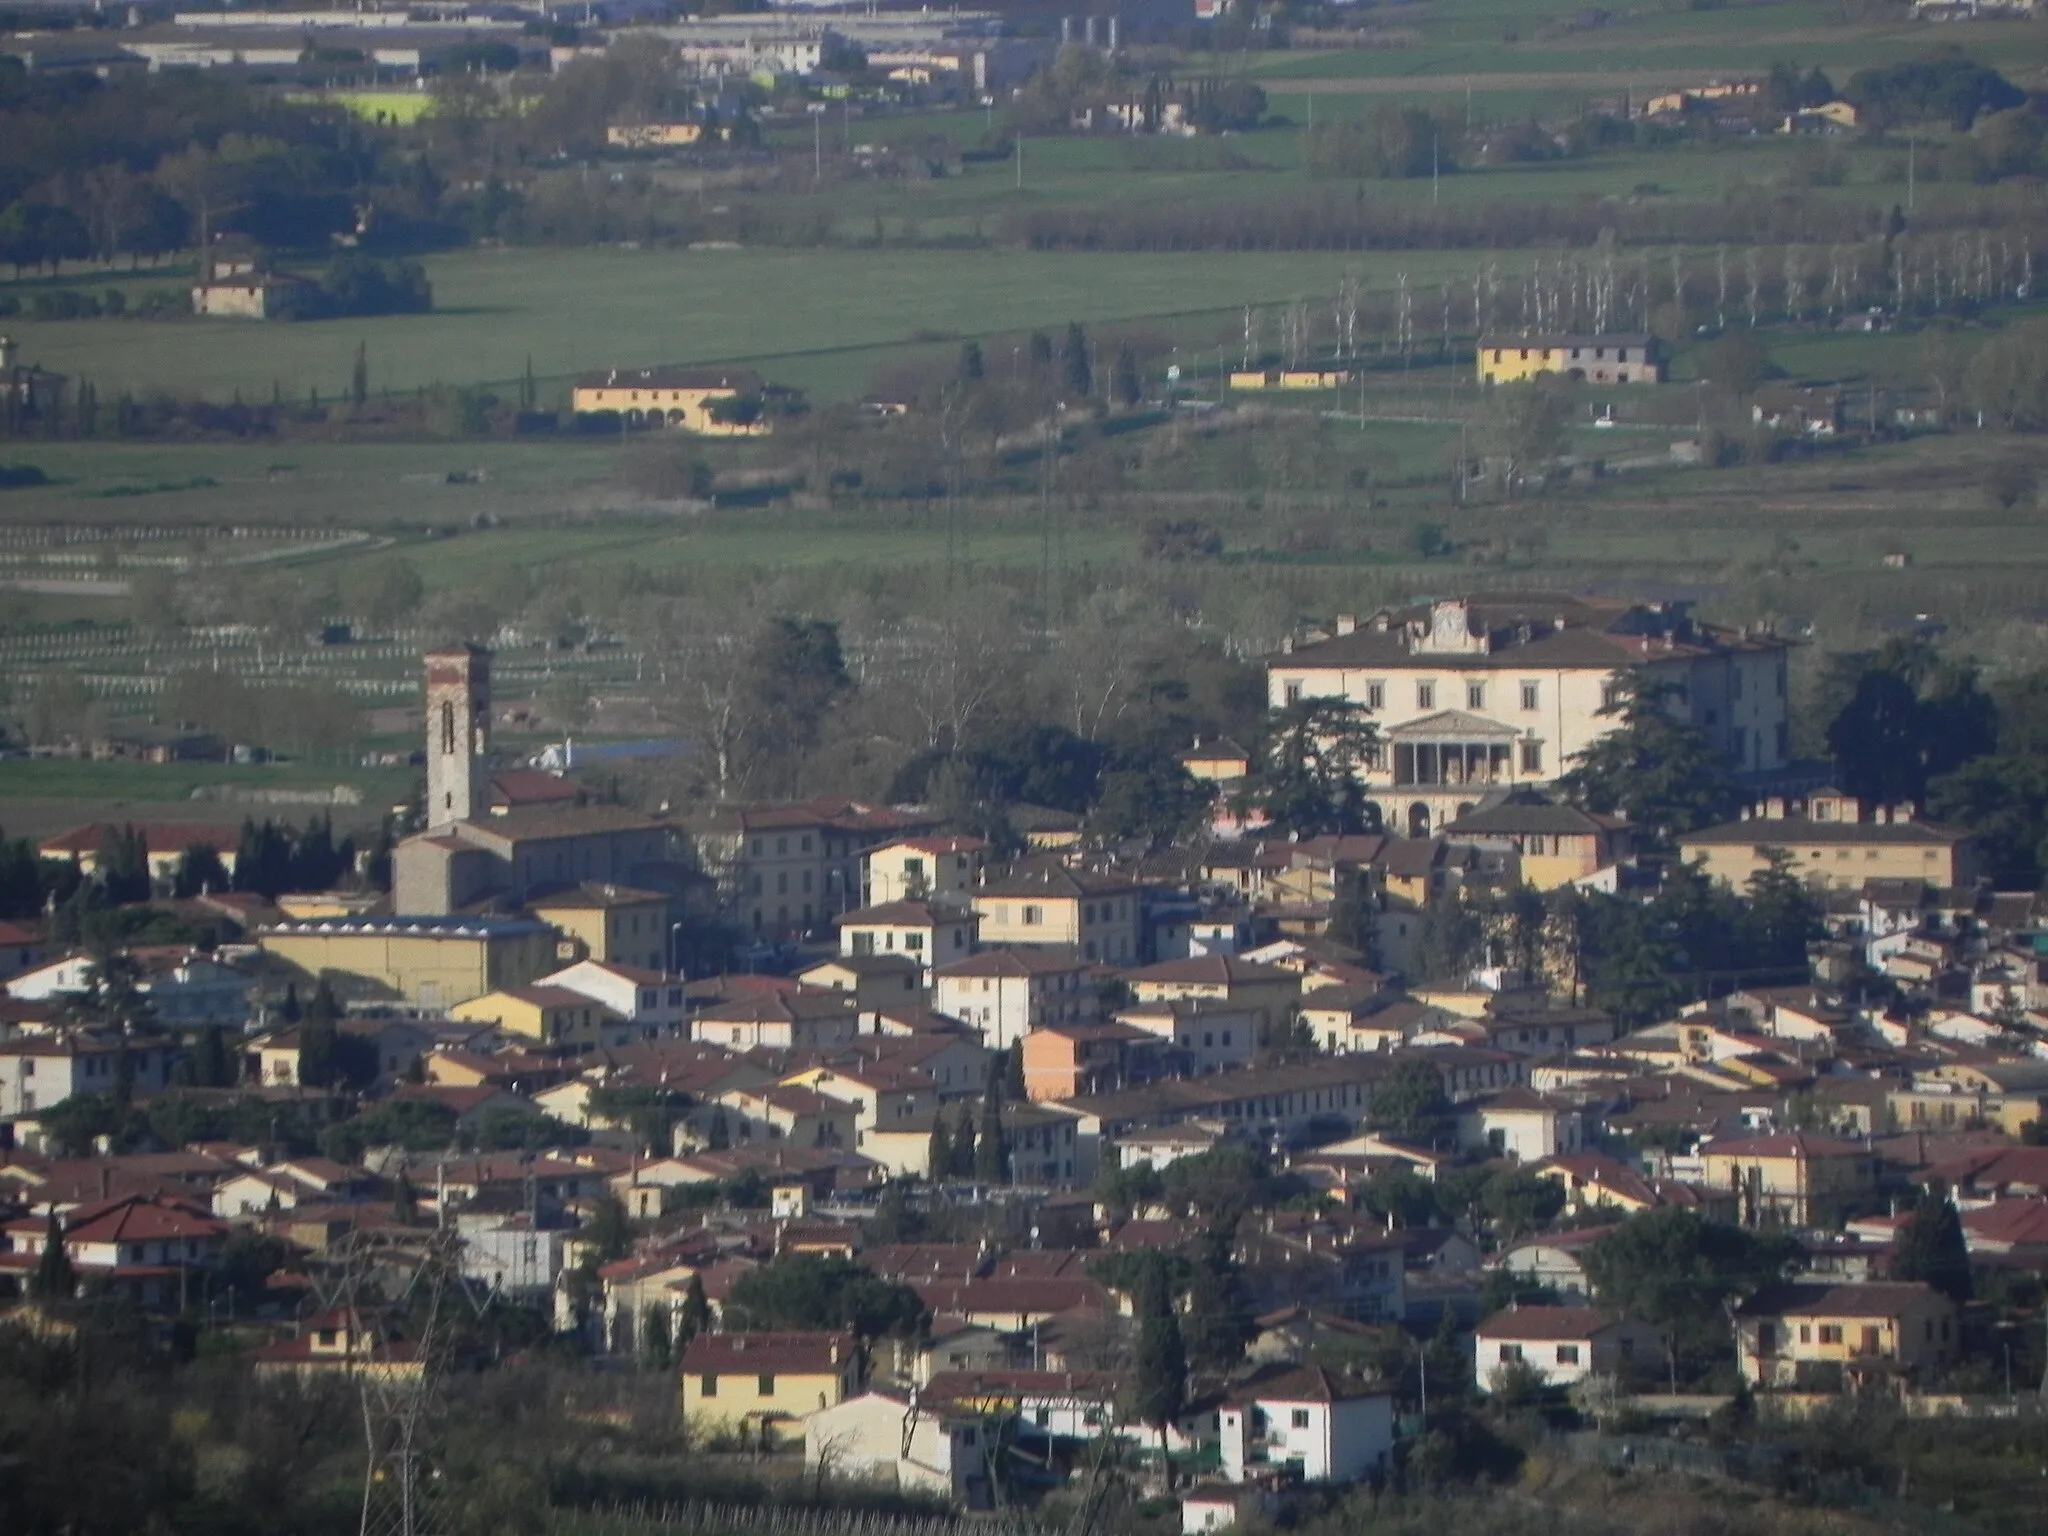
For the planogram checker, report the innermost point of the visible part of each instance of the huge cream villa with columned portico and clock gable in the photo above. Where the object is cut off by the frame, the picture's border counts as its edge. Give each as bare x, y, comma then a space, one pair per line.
1498, 691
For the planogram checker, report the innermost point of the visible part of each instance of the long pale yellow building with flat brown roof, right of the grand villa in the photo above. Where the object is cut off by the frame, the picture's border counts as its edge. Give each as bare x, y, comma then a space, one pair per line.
1836, 845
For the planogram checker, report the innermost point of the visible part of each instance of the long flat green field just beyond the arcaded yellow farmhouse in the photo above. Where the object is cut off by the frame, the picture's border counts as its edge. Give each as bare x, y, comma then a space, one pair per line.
820, 321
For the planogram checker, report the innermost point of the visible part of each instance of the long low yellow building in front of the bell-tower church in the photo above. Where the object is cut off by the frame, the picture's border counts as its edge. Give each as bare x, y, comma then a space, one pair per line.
427, 962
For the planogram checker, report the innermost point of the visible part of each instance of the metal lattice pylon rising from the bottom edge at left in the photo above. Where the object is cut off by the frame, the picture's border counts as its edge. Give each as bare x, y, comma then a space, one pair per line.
400, 1400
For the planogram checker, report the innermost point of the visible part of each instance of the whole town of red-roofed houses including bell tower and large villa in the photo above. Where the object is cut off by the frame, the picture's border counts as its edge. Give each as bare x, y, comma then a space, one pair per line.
980, 1168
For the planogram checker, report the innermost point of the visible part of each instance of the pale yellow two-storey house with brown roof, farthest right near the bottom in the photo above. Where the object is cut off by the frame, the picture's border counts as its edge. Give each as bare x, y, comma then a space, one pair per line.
1805, 1334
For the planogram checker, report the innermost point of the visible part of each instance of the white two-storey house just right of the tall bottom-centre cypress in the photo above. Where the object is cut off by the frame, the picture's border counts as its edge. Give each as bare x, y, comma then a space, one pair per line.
1308, 1422
